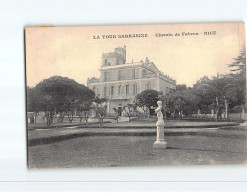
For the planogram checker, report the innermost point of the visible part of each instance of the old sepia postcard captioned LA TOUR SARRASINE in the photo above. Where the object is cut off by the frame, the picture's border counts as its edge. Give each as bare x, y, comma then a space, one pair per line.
136, 95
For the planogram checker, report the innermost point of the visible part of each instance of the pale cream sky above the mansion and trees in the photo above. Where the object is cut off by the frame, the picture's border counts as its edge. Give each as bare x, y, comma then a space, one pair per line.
73, 52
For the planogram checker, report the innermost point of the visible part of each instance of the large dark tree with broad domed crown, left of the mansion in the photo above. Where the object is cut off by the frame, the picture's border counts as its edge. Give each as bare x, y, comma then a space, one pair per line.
60, 95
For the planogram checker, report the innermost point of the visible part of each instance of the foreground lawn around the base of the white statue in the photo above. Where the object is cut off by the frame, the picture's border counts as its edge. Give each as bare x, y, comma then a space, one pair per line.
114, 151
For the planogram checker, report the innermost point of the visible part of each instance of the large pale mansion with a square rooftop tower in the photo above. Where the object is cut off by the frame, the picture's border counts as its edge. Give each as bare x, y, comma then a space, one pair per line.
120, 82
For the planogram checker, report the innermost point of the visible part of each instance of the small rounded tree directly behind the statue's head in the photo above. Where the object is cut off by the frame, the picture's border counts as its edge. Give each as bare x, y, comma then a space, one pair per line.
147, 99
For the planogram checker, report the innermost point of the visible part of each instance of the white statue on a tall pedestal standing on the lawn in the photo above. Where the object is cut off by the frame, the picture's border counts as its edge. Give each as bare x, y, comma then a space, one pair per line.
160, 141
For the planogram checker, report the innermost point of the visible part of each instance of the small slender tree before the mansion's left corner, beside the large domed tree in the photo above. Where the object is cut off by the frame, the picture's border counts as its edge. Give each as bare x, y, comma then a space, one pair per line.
100, 106
